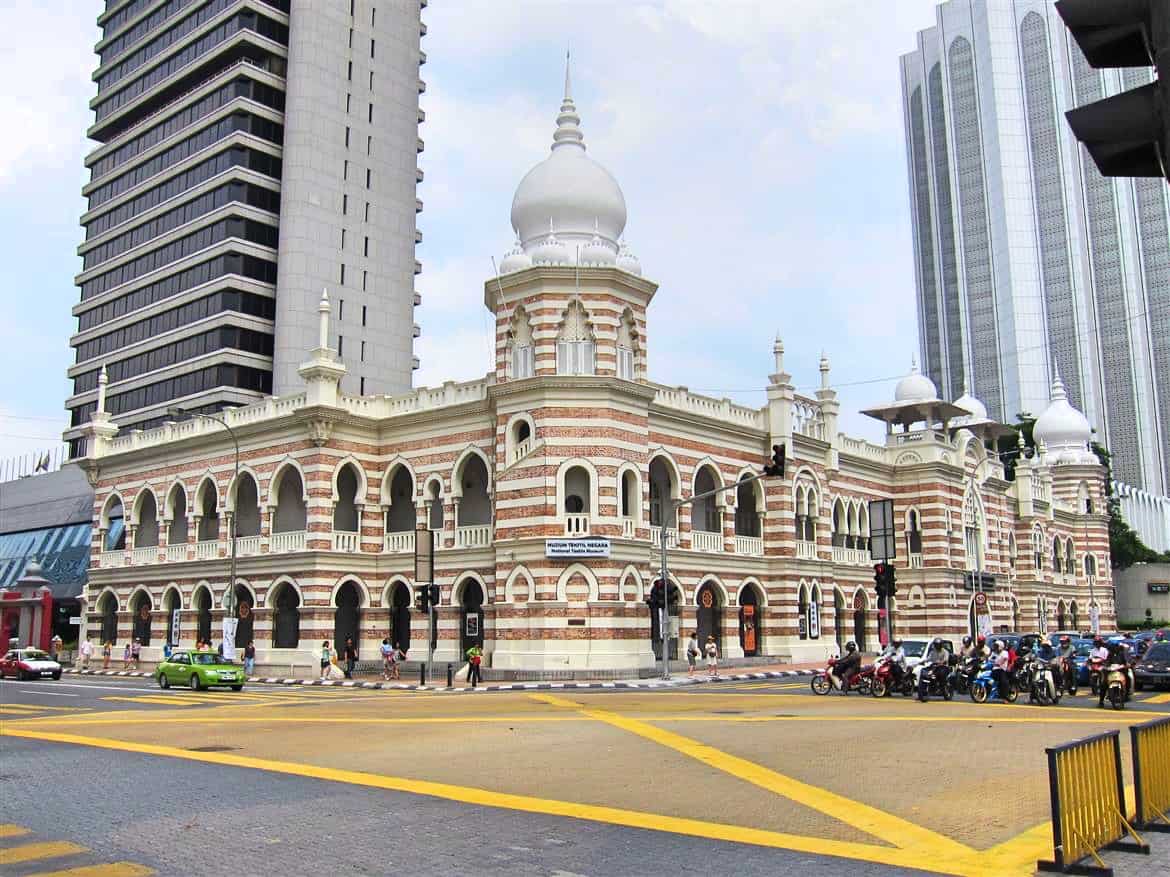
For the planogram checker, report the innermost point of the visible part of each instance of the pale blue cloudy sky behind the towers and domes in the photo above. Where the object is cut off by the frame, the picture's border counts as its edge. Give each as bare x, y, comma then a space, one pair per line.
760, 147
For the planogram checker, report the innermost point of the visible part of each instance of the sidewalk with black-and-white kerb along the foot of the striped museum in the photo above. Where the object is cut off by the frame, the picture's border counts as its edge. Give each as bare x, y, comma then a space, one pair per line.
678, 680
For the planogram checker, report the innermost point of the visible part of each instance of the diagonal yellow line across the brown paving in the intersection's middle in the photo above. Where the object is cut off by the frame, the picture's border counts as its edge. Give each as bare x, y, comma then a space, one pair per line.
862, 817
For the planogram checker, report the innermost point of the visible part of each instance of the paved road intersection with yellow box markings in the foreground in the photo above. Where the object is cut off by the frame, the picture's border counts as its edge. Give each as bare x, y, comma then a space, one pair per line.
733, 777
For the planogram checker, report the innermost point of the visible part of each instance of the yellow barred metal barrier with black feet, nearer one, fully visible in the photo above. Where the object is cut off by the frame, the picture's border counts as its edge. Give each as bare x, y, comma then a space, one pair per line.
1089, 803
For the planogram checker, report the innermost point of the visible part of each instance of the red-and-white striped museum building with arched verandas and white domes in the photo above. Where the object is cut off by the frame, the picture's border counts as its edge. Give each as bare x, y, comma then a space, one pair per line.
548, 484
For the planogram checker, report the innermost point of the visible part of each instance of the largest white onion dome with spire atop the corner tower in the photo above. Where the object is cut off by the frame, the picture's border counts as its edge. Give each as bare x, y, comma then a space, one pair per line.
569, 190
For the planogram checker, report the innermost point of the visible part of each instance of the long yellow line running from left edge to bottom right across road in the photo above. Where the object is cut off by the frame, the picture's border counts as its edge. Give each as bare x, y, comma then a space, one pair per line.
927, 861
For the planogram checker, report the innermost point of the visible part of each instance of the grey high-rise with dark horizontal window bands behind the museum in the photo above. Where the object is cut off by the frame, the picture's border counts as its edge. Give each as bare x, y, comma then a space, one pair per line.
251, 154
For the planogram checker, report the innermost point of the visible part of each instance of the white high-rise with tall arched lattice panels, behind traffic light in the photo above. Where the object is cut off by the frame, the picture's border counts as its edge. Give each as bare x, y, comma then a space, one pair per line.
1027, 259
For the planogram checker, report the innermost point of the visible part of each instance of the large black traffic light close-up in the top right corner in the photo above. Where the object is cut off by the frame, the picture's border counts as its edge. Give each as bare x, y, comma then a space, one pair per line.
1127, 135
